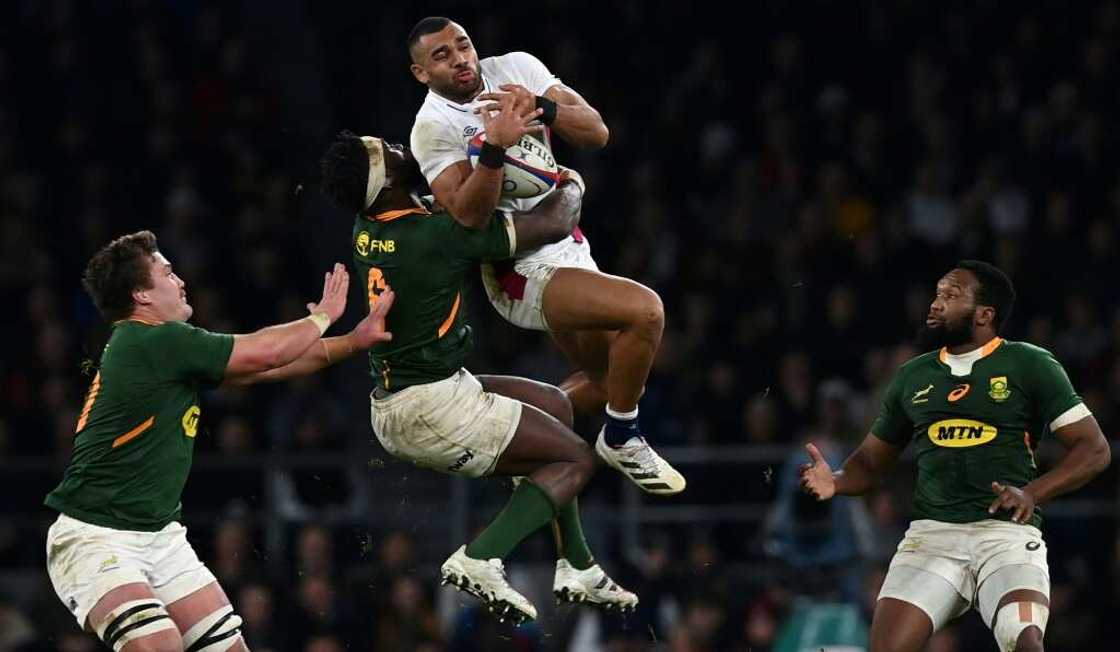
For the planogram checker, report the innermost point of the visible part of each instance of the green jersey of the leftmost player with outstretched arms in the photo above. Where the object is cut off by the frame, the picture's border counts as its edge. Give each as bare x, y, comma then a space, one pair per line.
136, 434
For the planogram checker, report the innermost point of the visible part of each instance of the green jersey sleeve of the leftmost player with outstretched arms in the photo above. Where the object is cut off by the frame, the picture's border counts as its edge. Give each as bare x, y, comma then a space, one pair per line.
188, 353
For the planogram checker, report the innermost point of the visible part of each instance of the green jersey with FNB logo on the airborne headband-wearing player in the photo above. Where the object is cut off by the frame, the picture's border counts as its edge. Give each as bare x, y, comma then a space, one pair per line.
425, 258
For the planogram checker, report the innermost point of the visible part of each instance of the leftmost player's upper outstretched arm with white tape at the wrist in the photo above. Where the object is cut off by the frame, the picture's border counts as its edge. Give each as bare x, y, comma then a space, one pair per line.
276, 347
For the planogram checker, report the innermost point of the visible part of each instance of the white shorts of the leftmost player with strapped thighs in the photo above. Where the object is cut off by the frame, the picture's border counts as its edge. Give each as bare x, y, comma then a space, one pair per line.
87, 562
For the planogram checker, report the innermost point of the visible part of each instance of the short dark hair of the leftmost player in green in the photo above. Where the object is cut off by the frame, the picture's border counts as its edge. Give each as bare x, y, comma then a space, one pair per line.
117, 271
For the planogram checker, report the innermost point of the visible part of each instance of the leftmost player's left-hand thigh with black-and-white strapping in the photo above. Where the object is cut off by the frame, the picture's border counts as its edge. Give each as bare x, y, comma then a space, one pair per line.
132, 619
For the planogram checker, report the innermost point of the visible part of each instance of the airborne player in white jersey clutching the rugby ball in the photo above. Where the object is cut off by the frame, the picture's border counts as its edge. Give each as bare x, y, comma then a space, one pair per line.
609, 327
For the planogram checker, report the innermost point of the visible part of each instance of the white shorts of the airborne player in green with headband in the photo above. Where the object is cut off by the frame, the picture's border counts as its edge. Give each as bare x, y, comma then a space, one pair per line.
451, 426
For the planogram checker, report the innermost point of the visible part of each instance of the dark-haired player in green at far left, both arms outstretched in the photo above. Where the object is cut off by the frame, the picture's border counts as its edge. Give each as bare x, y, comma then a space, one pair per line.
117, 555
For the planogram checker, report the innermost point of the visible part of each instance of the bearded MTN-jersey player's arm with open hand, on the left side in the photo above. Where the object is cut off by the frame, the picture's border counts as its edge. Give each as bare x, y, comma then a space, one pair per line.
862, 472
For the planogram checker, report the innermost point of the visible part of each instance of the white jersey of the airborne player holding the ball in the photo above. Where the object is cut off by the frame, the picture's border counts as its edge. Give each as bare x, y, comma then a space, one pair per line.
444, 128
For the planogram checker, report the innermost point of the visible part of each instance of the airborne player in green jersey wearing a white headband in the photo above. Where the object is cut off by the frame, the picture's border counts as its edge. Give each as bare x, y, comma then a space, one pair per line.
427, 409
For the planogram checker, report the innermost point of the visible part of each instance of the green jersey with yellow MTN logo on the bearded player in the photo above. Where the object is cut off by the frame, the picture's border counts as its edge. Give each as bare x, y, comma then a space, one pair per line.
974, 430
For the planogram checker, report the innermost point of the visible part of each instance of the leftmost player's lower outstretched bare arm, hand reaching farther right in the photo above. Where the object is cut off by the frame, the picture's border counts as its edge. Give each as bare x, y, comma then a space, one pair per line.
370, 331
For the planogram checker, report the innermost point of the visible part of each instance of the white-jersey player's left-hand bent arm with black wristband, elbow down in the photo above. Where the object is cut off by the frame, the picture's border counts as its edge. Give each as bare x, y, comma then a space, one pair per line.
471, 195
